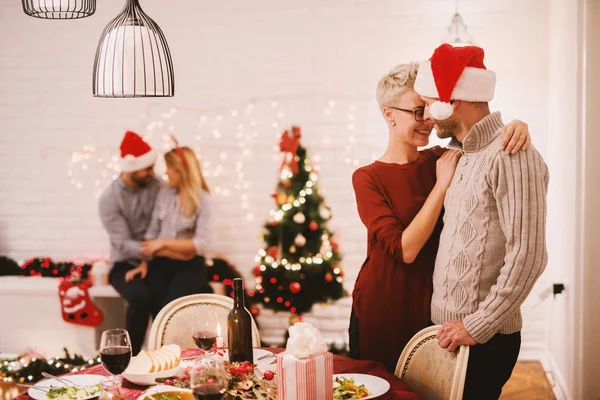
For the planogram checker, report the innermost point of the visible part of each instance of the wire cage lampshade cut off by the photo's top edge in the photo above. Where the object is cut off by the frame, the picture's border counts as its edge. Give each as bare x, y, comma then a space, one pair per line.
59, 9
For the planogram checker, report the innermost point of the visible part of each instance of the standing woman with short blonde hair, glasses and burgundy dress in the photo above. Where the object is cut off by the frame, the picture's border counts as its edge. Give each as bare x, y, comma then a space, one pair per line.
400, 199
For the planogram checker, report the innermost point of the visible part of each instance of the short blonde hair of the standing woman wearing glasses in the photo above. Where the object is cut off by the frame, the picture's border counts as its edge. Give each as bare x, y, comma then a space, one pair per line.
395, 83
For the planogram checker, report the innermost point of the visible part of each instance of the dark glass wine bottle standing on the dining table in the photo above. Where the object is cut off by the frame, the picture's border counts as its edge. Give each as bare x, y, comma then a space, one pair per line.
239, 327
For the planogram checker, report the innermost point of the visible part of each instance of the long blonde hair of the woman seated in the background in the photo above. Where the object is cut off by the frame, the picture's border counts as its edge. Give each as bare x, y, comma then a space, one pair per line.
192, 180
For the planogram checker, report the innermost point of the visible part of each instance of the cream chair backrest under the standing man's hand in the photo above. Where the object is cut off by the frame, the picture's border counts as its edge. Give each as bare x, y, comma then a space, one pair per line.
433, 372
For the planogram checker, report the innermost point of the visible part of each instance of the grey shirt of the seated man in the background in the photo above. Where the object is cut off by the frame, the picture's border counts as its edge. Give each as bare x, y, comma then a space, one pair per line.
125, 214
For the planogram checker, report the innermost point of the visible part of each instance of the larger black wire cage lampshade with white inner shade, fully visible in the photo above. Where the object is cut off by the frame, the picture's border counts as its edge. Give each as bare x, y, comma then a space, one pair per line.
133, 58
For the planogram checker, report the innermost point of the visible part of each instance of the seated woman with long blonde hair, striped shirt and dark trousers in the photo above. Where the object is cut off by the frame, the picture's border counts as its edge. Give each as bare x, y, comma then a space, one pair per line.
178, 232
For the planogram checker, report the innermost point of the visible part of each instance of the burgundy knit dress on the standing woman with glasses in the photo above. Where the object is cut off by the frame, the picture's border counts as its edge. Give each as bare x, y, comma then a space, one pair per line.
391, 299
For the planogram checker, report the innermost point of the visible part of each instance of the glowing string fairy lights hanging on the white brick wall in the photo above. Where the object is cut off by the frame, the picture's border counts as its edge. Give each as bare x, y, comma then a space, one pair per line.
230, 140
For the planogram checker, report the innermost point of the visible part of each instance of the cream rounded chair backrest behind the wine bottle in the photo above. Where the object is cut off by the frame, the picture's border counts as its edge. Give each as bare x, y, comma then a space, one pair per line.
173, 322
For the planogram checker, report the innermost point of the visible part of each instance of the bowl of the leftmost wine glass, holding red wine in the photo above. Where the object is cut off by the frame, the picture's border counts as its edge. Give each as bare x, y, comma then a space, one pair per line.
115, 351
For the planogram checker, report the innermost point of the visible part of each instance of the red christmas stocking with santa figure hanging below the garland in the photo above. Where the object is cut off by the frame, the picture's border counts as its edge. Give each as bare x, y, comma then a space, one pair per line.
76, 305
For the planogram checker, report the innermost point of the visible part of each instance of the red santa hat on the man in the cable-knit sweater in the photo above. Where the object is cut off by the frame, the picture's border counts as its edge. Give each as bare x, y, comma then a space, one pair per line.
454, 73
